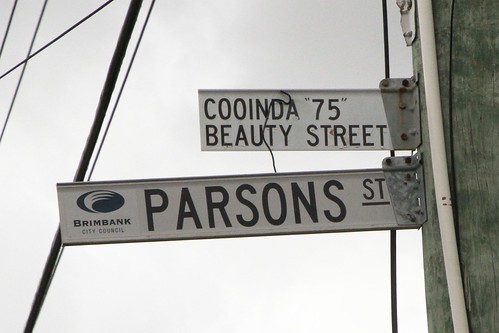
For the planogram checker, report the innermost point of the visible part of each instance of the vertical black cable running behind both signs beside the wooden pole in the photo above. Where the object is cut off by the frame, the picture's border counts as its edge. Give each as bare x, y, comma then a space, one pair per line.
393, 233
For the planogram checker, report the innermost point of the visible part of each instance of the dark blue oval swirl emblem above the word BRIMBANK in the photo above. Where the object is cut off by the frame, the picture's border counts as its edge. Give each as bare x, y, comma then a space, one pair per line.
100, 201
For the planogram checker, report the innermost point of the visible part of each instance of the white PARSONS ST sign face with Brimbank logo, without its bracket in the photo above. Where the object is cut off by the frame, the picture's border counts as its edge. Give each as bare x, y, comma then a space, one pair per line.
196, 208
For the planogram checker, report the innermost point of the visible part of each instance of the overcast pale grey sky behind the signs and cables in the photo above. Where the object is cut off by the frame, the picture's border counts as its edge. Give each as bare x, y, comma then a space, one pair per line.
310, 283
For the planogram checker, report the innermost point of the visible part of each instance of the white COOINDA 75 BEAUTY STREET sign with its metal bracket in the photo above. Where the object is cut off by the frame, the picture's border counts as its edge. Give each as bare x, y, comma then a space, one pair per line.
377, 119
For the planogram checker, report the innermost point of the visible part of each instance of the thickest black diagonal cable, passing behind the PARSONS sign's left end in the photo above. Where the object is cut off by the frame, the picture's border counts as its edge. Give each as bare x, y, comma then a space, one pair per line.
57, 247
